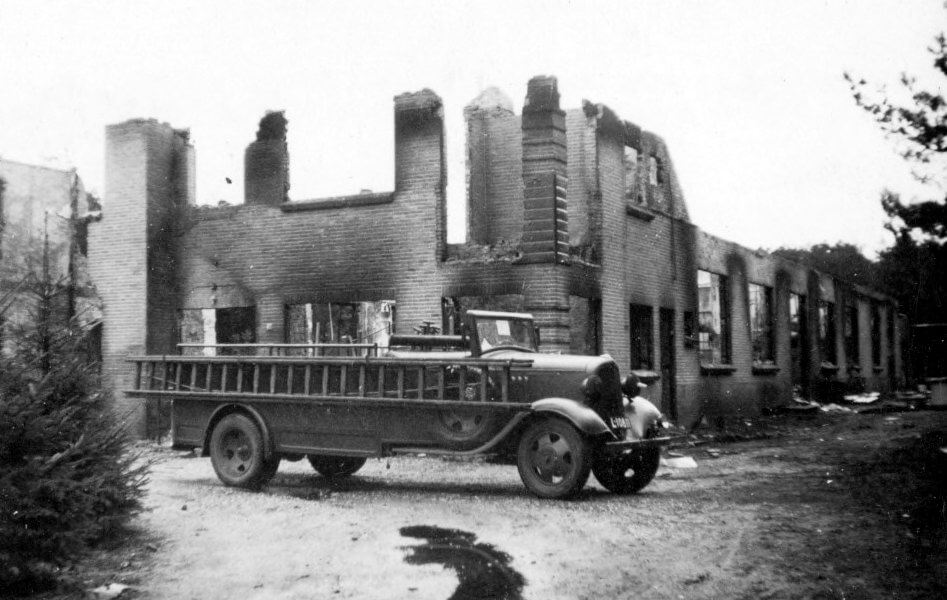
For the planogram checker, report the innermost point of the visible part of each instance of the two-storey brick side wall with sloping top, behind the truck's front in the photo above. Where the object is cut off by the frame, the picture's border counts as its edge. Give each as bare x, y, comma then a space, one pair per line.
647, 257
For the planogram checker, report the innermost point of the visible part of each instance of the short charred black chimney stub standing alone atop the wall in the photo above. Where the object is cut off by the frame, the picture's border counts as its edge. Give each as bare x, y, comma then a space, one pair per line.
266, 163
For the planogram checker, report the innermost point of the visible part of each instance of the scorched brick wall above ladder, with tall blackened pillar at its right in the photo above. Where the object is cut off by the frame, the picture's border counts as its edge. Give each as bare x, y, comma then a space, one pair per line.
358, 248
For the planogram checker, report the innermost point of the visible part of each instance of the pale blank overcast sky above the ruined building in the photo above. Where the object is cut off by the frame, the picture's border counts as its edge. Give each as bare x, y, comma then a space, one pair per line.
766, 140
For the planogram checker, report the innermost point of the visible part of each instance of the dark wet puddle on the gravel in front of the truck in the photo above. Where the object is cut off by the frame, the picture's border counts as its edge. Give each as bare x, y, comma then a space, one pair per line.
482, 570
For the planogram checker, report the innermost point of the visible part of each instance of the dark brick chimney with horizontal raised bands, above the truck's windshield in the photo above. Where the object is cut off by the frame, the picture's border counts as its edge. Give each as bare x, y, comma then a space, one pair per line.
546, 221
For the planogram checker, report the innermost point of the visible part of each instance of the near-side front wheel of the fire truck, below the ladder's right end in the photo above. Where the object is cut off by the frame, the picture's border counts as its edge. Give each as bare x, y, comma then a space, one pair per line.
556, 447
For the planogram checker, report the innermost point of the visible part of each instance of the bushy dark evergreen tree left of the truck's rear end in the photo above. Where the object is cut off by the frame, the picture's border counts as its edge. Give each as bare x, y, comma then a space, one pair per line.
67, 475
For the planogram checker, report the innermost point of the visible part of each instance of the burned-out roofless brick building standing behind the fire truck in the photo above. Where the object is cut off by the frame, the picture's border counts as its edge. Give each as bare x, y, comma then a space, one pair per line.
575, 216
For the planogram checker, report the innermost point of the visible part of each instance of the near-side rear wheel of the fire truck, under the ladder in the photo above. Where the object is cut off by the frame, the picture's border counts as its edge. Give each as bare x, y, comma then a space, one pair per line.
237, 453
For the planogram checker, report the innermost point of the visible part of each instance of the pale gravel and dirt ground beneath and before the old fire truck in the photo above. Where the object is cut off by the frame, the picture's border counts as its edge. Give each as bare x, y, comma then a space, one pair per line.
827, 507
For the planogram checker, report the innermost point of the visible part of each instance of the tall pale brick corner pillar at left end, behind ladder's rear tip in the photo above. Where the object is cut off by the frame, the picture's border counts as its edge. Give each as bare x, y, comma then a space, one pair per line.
133, 249
